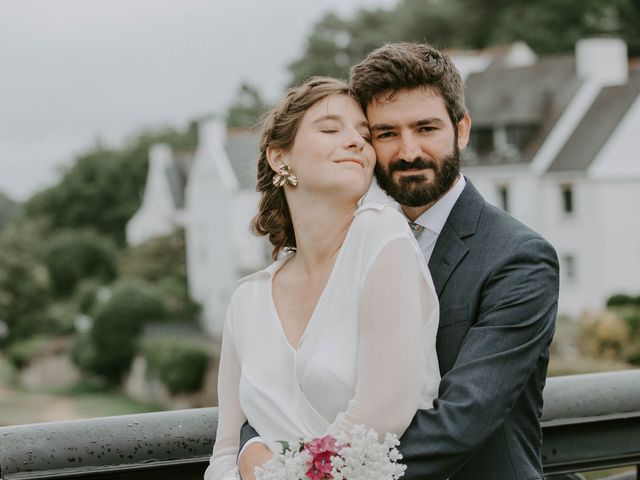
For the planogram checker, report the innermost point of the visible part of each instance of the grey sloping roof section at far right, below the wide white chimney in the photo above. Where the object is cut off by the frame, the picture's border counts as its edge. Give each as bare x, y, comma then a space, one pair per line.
596, 127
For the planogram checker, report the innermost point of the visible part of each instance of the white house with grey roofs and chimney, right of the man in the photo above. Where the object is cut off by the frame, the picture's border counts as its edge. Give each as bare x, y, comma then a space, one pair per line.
557, 144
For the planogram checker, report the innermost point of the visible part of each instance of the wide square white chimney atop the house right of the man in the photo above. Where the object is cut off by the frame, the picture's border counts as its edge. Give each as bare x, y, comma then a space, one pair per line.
603, 60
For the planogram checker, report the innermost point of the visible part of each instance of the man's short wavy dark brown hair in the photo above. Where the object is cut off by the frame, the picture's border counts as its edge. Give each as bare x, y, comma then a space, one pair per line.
398, 66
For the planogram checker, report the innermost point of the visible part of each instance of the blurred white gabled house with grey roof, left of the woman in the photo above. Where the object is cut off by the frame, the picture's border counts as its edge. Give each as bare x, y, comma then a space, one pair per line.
211, 193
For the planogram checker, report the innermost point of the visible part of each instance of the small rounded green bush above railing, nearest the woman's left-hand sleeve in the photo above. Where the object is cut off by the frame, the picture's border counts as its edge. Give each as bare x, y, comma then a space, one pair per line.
180, 364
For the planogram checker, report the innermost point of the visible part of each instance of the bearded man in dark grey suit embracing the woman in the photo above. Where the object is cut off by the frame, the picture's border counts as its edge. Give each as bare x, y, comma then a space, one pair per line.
497, 281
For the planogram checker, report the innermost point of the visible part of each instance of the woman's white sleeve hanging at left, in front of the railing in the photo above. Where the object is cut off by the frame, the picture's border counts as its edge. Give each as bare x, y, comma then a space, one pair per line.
222, 465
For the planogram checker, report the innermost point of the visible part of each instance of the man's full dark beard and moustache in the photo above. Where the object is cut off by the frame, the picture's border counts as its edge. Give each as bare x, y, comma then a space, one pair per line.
415, 190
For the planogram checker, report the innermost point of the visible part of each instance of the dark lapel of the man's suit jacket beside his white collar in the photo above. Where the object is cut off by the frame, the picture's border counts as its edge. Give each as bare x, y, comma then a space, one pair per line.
450, 249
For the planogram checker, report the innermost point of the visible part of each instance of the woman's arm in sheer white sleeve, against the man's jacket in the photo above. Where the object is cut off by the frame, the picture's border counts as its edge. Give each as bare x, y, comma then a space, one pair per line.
397, 322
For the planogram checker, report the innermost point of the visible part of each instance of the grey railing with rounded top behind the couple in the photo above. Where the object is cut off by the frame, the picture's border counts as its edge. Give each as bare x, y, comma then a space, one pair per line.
590, 422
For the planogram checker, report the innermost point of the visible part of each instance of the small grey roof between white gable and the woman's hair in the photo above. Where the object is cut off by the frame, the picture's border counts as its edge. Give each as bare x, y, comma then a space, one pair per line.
242, 148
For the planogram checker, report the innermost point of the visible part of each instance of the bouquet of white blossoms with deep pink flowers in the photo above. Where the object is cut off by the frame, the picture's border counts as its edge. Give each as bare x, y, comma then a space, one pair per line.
357, 455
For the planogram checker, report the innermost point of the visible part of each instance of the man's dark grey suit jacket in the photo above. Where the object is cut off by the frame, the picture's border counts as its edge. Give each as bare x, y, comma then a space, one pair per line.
497, 282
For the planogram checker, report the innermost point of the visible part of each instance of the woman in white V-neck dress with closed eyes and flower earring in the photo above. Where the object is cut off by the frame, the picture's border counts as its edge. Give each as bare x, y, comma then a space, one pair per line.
340, 330
